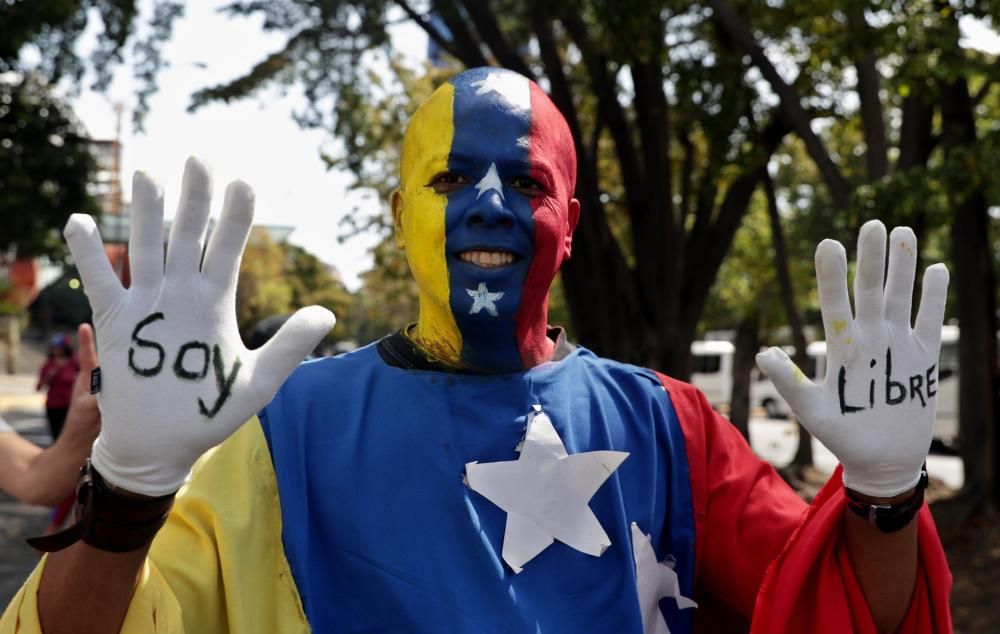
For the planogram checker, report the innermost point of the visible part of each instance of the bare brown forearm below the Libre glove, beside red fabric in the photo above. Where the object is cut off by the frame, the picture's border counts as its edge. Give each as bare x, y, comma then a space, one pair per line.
885, 565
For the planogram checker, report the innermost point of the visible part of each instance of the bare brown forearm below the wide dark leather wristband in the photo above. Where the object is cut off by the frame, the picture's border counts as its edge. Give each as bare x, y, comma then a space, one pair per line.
86, 590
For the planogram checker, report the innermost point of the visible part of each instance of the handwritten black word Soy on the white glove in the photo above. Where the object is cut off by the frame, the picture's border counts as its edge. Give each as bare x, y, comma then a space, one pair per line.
195, 350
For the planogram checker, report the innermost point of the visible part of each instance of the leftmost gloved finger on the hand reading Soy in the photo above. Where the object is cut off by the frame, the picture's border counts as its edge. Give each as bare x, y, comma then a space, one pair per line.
99, 282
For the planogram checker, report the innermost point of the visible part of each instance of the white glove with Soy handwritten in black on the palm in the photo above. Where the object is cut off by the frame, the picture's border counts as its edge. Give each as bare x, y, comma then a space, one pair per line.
176, 378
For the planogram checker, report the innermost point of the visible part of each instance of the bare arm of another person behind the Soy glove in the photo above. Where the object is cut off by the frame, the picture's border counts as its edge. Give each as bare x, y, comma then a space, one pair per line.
46, 476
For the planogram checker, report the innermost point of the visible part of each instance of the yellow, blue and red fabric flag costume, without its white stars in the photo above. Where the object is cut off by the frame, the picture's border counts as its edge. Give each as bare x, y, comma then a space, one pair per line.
358, 467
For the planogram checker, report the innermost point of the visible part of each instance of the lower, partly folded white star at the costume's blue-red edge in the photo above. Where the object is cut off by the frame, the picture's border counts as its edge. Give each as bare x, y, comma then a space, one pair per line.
654, 580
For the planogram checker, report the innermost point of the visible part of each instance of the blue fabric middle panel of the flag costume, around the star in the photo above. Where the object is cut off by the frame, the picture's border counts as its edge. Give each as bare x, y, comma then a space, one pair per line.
382, 534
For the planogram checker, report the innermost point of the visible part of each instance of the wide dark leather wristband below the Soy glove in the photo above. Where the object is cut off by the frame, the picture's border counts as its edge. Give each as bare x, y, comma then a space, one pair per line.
107, 519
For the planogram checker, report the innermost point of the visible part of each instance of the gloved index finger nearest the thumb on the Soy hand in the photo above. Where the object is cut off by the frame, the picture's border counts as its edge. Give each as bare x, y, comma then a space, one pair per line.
225, 248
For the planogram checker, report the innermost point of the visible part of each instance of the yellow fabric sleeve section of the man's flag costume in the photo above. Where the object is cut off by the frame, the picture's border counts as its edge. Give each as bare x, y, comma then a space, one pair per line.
218, 564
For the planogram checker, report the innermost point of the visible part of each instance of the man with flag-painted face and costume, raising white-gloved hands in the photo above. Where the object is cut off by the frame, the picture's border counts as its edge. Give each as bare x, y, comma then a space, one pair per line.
475, 472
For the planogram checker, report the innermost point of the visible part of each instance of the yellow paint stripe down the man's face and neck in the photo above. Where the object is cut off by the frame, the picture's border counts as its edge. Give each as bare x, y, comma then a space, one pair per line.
420, 222
